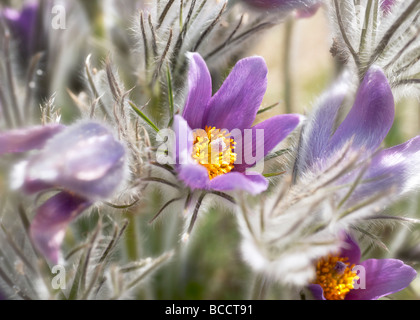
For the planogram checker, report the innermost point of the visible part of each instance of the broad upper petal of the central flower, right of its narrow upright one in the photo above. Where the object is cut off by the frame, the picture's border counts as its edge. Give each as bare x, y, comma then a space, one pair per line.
236, 103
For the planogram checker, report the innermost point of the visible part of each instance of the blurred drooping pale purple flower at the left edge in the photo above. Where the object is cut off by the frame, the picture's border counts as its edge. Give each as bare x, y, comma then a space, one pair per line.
83, 161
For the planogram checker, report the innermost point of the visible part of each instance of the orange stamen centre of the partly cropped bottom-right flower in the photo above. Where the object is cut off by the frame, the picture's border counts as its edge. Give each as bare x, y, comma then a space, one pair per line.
335, 276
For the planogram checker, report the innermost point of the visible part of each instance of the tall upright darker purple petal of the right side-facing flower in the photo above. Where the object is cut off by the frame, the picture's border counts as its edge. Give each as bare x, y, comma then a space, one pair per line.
371, 117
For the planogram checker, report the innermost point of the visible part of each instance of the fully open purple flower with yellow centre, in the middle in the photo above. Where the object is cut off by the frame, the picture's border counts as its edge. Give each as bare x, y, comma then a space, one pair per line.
212, 157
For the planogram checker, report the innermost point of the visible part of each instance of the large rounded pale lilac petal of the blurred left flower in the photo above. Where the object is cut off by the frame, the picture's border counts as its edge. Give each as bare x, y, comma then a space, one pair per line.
84, 159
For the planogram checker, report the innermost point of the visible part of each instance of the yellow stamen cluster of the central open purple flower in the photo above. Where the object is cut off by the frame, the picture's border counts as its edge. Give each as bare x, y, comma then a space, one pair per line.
213, 149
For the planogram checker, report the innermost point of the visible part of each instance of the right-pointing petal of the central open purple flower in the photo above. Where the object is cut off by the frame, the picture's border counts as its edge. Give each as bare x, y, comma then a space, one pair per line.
275, 130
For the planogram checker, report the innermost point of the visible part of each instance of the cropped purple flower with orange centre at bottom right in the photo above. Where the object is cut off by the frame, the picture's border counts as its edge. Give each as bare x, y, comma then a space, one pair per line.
342, 276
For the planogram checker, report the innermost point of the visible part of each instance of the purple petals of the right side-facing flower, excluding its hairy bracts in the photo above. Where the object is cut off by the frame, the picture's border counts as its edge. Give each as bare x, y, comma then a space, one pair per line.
362, 131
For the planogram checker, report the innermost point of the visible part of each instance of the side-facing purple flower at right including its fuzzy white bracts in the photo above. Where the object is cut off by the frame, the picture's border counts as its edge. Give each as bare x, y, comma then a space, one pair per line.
339, 179
